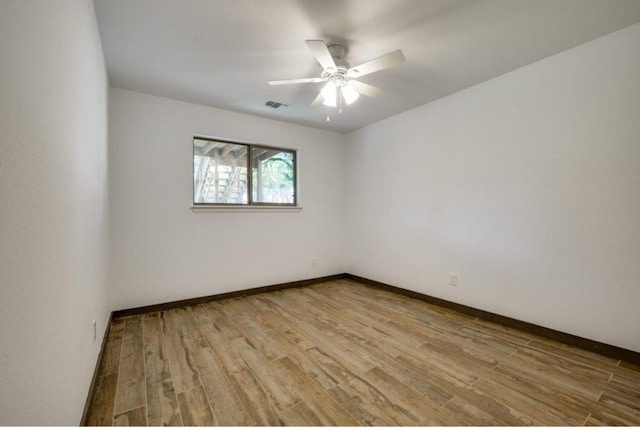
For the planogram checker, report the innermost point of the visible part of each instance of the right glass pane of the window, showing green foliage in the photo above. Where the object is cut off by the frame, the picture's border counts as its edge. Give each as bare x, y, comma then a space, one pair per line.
272, 175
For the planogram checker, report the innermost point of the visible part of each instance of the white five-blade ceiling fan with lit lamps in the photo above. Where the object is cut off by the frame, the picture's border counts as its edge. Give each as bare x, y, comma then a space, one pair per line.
342, 85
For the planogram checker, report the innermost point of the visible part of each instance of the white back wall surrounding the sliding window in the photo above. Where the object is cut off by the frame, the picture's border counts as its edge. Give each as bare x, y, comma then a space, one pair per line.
162, 251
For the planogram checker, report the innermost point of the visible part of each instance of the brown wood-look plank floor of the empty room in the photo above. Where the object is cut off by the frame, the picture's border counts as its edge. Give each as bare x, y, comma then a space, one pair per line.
344, 353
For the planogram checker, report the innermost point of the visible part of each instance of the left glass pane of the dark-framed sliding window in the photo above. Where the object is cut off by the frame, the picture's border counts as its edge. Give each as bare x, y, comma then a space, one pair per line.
219, 172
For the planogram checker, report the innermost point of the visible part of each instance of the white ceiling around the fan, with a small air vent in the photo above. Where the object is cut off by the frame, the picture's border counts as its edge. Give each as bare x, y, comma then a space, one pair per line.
221, 53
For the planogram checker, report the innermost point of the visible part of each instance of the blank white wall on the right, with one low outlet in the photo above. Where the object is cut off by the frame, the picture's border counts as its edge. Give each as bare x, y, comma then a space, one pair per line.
527, 186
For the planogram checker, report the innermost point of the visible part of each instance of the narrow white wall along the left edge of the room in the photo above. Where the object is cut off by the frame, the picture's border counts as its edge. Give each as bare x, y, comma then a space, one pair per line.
53, 189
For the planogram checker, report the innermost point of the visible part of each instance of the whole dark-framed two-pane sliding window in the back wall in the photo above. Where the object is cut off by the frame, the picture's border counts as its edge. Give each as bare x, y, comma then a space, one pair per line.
221, 174
